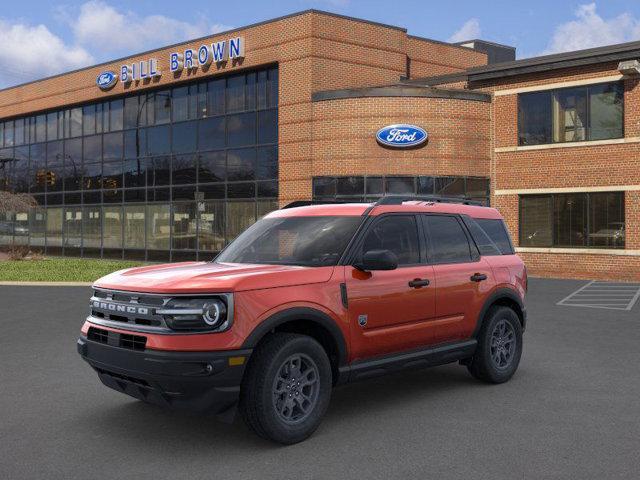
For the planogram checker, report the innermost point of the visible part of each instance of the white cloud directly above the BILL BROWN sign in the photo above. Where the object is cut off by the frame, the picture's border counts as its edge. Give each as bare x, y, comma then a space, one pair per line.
108, 30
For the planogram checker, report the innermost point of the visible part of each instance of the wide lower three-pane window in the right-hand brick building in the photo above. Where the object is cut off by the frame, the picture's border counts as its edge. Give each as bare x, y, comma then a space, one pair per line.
573, 220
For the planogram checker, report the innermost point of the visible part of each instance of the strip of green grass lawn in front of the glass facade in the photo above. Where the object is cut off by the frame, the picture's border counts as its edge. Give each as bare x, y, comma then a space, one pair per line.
60, 269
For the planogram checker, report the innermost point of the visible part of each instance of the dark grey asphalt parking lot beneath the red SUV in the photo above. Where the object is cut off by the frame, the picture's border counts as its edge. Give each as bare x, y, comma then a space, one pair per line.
571, 411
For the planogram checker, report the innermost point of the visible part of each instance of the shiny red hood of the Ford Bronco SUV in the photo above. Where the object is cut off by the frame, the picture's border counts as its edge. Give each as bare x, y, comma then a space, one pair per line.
206, 277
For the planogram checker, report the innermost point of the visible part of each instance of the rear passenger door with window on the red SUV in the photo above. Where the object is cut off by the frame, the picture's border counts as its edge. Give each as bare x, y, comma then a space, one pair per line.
462, 277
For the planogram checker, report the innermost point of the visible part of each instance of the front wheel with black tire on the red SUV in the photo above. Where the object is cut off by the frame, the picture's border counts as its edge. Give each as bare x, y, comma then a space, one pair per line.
276, 405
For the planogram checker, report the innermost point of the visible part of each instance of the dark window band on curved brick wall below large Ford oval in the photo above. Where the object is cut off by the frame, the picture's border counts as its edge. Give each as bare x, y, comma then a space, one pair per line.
371, 188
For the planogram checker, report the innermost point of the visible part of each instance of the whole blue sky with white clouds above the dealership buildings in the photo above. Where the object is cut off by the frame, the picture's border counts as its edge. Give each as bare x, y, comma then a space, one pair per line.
39, 38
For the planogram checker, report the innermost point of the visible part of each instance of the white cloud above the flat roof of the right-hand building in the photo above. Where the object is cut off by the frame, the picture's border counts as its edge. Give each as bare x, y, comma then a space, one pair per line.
591, 30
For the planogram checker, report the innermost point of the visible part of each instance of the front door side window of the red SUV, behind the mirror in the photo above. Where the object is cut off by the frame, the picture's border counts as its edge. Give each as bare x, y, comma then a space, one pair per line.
398, 234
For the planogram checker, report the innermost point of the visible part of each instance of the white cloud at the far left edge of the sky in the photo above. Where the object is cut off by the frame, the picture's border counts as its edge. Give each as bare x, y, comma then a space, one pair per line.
28, 52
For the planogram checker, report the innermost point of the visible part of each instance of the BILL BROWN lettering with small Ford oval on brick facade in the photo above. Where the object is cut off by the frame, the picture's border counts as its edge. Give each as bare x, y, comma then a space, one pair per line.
189, 59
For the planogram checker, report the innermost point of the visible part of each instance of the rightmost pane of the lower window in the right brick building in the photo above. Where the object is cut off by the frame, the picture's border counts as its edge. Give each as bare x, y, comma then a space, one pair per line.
607, 220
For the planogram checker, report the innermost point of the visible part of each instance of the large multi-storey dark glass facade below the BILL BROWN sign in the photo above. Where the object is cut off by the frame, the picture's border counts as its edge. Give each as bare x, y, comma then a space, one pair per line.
169, 174
